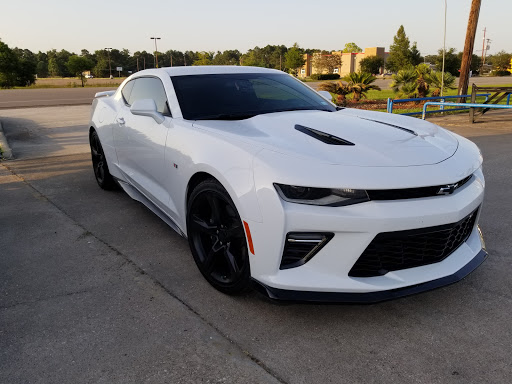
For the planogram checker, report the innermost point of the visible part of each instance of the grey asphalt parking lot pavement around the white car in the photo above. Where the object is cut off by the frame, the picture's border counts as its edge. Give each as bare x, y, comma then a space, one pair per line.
95, 288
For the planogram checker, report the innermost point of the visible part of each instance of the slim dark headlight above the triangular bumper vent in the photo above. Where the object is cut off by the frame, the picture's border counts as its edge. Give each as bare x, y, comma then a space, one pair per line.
333, 197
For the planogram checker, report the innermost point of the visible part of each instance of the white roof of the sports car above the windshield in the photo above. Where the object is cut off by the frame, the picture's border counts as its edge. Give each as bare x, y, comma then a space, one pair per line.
206, 70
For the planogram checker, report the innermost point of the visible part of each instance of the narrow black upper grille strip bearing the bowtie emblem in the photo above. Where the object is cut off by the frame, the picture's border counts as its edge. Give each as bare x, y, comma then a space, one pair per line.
414, 193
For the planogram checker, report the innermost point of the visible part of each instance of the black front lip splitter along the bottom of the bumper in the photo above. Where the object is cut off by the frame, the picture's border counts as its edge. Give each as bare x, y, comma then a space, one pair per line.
369, 297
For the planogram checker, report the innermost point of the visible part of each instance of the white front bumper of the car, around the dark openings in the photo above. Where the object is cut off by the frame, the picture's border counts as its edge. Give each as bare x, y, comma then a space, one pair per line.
325, 277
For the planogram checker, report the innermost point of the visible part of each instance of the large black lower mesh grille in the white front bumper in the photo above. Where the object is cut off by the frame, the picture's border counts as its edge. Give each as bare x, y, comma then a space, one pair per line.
392, 251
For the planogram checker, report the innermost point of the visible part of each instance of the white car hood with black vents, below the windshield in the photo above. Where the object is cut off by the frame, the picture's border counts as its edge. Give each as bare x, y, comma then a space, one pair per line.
380, 139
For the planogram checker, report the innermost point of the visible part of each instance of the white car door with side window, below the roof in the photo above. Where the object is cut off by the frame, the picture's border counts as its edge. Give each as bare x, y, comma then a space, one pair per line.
140, 140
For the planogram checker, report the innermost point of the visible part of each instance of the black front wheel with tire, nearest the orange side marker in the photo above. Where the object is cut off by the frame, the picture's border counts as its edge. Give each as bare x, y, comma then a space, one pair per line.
217, 238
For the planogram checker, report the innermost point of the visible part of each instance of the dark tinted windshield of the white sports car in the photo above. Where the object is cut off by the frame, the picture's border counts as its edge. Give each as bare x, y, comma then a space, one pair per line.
243, 95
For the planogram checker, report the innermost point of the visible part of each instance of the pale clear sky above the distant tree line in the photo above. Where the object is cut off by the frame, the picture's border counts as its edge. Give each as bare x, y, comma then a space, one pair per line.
203, 25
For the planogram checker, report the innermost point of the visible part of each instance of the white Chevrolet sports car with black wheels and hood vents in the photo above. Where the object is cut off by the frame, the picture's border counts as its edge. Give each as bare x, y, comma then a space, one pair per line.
275, 186
